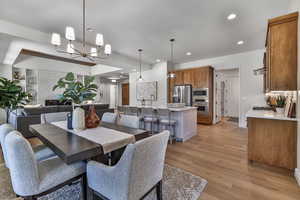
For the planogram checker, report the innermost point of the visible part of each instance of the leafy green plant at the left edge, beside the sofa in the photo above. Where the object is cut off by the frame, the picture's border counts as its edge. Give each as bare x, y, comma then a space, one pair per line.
12, 96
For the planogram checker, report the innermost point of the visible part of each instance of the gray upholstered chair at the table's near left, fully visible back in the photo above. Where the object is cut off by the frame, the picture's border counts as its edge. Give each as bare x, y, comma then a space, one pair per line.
32, 179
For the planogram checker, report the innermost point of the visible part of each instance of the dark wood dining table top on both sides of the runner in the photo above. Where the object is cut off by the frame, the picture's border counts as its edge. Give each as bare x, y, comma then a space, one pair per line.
71, 147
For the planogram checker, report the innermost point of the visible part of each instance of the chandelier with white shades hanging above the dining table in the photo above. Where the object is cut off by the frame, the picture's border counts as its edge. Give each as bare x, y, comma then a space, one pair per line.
99, 51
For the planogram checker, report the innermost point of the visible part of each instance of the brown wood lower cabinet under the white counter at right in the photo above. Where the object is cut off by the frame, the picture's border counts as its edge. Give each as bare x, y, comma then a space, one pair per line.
272, 142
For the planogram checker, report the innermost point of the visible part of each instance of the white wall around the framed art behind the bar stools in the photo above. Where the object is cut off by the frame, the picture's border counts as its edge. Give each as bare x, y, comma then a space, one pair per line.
157, 73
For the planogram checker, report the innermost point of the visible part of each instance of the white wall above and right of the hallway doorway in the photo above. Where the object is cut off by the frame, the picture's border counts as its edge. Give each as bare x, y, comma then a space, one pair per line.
251, 87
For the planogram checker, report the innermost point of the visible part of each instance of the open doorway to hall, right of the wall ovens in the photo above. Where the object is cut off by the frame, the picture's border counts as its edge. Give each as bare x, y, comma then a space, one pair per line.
227, 87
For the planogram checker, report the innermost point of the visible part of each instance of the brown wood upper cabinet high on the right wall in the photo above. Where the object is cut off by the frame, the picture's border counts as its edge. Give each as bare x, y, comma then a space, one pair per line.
281, 53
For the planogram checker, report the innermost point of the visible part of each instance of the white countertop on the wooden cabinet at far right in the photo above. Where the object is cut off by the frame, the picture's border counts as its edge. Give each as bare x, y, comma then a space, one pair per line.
264, 114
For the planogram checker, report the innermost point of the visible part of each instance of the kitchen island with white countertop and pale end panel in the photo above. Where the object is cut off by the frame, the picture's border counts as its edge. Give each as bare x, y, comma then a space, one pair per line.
186, 121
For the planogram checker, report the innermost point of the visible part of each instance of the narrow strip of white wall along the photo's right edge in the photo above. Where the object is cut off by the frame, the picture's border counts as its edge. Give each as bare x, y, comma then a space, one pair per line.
295, 6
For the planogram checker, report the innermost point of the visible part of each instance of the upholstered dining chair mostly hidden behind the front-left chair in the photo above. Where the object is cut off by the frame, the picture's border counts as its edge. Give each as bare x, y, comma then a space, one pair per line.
41, 152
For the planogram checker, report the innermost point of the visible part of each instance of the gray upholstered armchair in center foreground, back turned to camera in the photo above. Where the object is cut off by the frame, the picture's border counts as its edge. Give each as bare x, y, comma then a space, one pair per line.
139, 171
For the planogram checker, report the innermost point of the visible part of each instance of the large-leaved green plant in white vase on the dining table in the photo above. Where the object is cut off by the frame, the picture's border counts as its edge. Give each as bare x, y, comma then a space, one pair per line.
77, 92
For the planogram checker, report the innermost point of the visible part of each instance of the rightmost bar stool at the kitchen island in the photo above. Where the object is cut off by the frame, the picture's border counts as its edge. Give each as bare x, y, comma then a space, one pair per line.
166, 123
